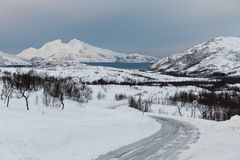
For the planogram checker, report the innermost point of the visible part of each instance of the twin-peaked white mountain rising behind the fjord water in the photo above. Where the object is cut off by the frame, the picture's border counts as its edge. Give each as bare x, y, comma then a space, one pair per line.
80, 51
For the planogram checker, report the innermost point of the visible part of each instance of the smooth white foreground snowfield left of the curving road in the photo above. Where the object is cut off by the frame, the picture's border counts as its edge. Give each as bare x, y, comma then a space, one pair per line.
78, 132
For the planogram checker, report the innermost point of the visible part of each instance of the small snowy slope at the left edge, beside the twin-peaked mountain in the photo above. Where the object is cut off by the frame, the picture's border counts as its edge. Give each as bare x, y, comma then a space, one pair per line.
11, 60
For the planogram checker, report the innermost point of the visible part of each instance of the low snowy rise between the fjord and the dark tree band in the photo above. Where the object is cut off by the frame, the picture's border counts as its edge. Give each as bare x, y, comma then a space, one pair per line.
94, 73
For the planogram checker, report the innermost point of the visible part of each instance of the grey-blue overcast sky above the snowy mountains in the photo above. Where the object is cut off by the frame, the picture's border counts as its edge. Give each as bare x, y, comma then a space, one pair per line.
153, 27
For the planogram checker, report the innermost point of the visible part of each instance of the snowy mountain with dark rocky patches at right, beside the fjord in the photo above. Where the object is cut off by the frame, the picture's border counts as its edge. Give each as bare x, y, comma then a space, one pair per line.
218, 57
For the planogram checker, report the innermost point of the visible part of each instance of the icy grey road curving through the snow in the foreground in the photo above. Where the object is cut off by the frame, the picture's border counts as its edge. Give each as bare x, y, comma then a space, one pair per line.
166, 144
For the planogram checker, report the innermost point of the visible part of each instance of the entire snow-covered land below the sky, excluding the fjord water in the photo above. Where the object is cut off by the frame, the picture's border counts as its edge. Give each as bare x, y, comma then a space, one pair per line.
54, 107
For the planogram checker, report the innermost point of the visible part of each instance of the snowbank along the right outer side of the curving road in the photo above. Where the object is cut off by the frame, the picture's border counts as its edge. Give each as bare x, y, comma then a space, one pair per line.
218, 140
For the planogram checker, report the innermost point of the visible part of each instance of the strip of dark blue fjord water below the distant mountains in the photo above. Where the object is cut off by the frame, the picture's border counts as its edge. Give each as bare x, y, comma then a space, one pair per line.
140, 66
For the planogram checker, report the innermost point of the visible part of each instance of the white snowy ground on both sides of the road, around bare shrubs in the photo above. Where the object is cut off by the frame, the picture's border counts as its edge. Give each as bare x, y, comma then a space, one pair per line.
85, 131
